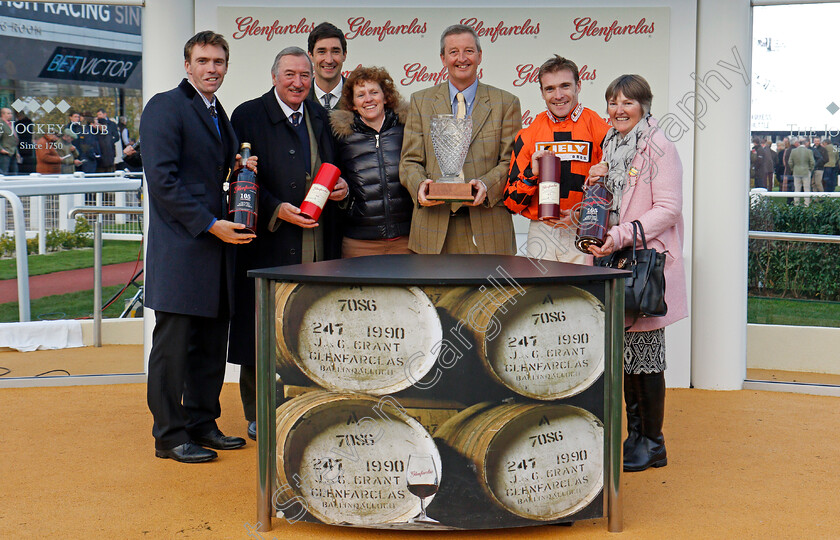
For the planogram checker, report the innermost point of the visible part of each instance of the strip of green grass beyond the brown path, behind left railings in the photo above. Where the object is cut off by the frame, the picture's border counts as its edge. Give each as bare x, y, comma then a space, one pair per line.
113, 251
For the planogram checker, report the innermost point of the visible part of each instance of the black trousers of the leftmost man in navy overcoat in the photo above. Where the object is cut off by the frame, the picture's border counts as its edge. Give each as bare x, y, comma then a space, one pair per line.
186, 372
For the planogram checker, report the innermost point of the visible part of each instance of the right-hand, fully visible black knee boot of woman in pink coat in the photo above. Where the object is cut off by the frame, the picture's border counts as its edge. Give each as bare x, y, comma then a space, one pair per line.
650, 449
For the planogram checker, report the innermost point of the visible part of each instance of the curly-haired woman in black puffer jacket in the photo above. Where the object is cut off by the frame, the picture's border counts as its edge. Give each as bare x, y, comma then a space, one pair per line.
369, 133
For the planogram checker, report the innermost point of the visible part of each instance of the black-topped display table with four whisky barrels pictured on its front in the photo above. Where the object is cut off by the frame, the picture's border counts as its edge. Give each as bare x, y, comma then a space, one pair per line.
484, 391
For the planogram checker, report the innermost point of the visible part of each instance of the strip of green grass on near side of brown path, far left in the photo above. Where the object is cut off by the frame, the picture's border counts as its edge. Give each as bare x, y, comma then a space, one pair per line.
68, 306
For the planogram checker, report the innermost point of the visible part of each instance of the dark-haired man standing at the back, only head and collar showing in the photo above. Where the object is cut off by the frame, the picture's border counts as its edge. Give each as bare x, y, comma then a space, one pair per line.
328, 51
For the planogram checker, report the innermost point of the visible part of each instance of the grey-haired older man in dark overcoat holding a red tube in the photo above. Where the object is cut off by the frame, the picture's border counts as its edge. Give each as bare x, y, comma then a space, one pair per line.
292, 138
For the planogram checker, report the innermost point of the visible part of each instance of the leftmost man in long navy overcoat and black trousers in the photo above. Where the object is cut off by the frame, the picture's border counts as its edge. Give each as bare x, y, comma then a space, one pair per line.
188, 147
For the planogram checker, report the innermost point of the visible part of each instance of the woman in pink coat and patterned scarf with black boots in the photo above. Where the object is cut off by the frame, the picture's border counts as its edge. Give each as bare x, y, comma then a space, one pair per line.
642, 169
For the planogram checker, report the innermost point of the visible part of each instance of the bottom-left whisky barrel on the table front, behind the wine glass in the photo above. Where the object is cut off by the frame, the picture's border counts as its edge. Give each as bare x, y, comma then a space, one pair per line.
344, 457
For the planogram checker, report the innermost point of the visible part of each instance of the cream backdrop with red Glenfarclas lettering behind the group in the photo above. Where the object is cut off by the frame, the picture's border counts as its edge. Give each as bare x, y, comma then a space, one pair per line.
406, 41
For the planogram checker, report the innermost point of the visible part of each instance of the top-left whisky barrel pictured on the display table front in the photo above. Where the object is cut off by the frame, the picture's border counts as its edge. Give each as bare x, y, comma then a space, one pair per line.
372, 339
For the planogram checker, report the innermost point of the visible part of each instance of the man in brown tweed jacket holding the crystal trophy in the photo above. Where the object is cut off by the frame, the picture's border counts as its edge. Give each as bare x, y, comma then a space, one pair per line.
483, 225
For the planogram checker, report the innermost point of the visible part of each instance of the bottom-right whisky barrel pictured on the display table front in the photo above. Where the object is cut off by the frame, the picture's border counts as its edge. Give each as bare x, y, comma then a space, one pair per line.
539, 461
